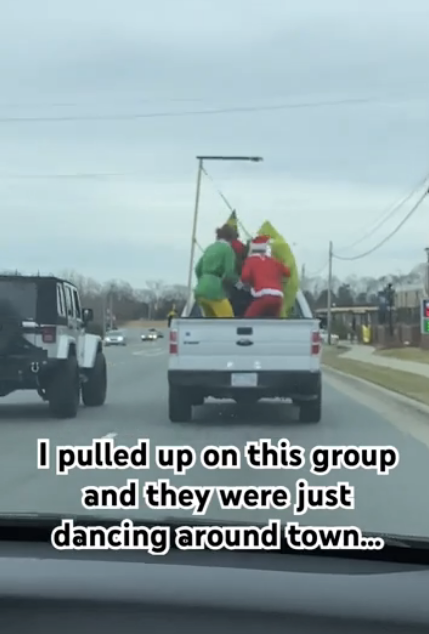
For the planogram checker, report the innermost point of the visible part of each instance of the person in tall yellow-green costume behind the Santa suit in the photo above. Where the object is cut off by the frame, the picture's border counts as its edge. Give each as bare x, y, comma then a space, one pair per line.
282, 252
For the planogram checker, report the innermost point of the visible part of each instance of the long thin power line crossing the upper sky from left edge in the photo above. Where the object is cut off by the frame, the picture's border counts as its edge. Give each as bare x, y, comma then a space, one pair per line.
186, 113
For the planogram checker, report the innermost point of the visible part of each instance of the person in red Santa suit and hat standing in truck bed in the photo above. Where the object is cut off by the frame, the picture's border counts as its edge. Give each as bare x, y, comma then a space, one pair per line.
264, 274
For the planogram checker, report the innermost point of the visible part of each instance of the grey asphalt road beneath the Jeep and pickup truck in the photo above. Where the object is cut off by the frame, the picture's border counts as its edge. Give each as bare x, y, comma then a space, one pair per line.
137, 408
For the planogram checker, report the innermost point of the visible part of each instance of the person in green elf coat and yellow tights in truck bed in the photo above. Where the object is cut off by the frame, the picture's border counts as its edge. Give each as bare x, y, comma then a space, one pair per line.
216, 272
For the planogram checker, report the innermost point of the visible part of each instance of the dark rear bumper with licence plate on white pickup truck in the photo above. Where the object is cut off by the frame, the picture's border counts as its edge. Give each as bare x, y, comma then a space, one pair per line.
296, 385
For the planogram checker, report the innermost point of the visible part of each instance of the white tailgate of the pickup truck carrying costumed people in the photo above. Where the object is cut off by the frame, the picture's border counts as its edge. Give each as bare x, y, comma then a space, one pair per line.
245, 344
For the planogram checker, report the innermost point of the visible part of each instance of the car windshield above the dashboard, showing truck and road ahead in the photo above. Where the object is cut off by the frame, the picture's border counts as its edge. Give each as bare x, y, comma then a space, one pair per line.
308, 208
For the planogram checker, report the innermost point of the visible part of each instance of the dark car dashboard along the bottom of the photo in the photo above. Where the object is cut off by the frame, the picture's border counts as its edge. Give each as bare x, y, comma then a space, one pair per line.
44, 590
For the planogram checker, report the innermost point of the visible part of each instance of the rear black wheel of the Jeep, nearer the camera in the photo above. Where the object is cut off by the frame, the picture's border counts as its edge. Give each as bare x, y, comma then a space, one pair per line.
64, 390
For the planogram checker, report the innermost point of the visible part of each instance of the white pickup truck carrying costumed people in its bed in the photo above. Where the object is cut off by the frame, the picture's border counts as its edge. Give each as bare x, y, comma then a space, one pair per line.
246, 360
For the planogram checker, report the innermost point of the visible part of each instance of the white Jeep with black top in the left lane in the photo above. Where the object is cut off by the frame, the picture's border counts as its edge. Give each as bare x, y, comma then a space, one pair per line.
44, 345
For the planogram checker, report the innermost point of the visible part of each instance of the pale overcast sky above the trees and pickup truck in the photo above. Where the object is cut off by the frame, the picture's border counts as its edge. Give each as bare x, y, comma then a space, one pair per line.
81, 75
